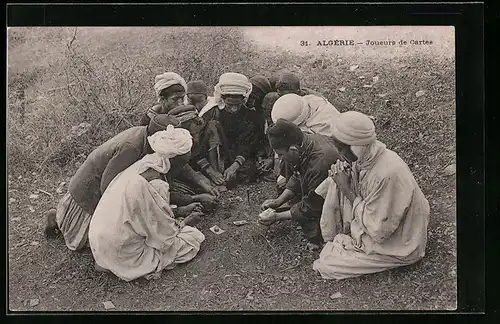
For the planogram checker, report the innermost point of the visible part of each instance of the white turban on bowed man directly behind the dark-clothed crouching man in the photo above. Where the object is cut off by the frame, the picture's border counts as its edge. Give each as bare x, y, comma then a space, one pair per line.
292, 108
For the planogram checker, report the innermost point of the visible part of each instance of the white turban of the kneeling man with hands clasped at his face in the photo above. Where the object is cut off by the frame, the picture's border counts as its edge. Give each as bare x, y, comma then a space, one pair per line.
354, 128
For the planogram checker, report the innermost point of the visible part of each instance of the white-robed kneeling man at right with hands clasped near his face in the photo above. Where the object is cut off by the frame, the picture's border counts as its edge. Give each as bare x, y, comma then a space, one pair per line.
374, 216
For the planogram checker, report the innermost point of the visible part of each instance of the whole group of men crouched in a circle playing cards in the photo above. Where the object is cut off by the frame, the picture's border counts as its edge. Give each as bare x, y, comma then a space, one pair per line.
138, 197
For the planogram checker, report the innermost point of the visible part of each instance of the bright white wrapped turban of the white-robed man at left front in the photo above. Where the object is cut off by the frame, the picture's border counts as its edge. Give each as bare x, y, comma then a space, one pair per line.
171, 142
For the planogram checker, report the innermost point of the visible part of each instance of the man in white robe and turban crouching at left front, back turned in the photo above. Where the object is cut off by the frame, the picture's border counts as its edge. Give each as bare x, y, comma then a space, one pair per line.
133, 232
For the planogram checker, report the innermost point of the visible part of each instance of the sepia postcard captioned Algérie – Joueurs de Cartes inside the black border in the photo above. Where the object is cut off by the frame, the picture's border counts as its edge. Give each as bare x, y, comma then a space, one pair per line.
346, 134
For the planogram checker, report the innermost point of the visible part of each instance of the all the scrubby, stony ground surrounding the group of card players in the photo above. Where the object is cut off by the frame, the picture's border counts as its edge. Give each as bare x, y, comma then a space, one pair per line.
71, 89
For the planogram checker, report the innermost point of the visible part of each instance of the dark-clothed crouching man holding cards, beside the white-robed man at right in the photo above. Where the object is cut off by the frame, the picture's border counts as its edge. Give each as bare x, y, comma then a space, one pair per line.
311, 156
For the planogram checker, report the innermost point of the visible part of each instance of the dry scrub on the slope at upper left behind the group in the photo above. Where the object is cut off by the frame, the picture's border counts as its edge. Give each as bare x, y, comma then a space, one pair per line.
109, 91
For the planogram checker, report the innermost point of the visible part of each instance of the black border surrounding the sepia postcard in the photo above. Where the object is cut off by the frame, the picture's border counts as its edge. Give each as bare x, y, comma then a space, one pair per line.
469, 29
